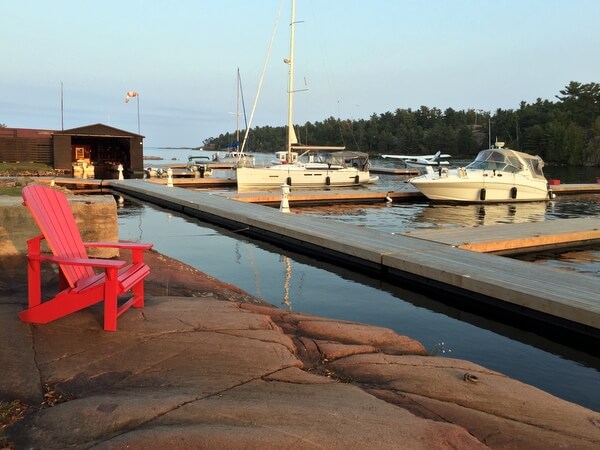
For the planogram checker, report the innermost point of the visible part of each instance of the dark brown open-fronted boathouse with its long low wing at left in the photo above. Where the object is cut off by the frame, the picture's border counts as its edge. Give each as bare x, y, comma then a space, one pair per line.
100, 145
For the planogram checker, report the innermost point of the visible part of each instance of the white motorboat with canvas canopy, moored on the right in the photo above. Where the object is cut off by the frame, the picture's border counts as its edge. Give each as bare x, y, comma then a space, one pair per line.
497, 174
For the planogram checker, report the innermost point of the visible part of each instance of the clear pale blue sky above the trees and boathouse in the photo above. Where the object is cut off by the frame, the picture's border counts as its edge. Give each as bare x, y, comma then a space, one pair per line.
354, 57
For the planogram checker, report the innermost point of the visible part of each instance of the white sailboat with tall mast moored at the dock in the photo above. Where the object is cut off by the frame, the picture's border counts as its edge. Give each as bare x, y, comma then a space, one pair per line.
297, 166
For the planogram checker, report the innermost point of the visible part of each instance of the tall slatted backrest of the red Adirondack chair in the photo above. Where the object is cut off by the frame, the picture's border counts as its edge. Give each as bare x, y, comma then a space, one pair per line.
52, 213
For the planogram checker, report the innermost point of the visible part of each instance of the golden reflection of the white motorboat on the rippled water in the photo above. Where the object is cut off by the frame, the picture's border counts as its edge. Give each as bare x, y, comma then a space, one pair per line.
469, 215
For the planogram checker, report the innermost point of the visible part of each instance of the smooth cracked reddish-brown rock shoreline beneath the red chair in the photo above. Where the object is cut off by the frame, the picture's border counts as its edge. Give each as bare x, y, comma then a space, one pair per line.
206, 365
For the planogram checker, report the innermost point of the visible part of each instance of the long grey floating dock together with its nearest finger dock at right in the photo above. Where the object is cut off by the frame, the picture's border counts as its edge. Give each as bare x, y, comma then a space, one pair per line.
565, 295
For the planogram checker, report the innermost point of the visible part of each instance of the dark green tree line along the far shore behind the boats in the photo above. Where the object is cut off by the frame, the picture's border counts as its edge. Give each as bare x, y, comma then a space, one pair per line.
565, 131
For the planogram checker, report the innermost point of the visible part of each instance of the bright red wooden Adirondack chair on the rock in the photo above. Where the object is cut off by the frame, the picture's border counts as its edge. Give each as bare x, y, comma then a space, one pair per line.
79, 284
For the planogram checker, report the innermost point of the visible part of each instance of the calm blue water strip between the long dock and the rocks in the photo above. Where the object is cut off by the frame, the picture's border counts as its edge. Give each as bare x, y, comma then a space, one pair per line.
303, 284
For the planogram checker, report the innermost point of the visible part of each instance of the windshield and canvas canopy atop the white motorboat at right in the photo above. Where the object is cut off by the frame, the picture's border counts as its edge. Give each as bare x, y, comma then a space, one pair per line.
506, 160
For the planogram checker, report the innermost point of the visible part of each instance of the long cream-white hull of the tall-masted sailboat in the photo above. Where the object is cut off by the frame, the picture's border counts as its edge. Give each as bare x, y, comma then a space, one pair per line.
273, 177
